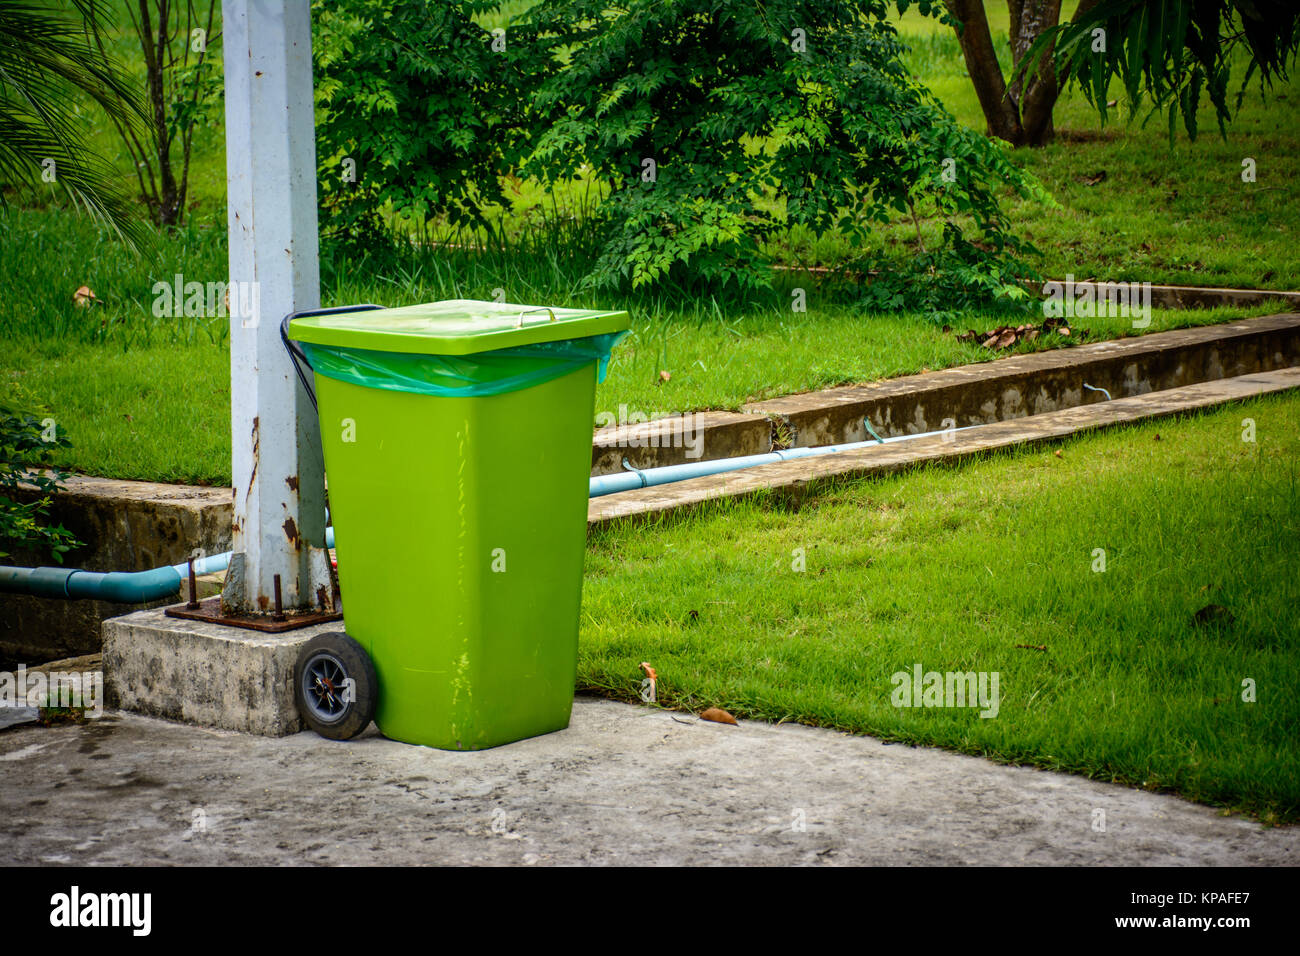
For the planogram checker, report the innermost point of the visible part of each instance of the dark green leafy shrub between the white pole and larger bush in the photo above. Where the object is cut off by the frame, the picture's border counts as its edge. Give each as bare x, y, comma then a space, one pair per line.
417, 113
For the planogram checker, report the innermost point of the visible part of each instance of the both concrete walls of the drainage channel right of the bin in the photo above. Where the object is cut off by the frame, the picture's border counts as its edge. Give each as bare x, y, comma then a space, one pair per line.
1012, 401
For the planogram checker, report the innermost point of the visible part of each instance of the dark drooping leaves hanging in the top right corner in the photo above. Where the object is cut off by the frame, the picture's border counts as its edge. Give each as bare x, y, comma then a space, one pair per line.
1171, 51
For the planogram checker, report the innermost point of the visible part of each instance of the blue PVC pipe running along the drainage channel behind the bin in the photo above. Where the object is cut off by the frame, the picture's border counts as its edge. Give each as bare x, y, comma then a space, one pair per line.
142, 587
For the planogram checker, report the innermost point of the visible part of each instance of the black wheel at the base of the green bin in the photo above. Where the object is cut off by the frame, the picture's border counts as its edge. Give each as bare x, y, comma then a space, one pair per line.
328, 703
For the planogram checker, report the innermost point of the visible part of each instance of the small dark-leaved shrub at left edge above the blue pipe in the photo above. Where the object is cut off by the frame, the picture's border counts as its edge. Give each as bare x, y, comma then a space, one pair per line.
27, 452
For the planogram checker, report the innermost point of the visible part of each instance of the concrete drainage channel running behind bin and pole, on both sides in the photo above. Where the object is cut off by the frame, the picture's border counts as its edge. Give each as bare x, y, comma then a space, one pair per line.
1009, 401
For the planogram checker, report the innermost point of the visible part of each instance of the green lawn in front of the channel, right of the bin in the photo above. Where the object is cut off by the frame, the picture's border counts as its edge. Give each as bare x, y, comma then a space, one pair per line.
955, 569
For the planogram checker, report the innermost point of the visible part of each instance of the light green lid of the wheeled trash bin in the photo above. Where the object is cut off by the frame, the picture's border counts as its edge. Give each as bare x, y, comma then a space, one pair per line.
456, 327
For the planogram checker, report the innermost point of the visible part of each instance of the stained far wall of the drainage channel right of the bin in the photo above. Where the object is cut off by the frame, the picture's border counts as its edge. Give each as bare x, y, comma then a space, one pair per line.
999, 391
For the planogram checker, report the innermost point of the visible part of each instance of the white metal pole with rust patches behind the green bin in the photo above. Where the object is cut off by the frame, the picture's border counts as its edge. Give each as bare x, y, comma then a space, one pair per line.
275, 270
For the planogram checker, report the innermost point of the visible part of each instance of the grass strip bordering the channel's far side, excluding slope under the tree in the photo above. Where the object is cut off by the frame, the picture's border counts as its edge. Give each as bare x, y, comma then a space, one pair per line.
146, 397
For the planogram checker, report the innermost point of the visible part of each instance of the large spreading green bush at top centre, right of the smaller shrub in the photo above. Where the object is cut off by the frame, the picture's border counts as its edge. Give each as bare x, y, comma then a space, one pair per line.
718, 126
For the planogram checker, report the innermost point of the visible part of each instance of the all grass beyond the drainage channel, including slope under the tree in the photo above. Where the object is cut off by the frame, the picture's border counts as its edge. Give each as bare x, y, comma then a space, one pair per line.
1156, 217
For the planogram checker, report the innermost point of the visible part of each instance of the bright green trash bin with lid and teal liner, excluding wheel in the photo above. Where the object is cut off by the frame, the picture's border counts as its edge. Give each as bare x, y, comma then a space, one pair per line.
458, 451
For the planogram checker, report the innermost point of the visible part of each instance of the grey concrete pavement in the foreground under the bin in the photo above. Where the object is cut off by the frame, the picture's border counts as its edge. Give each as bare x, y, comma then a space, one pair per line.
625, 785
